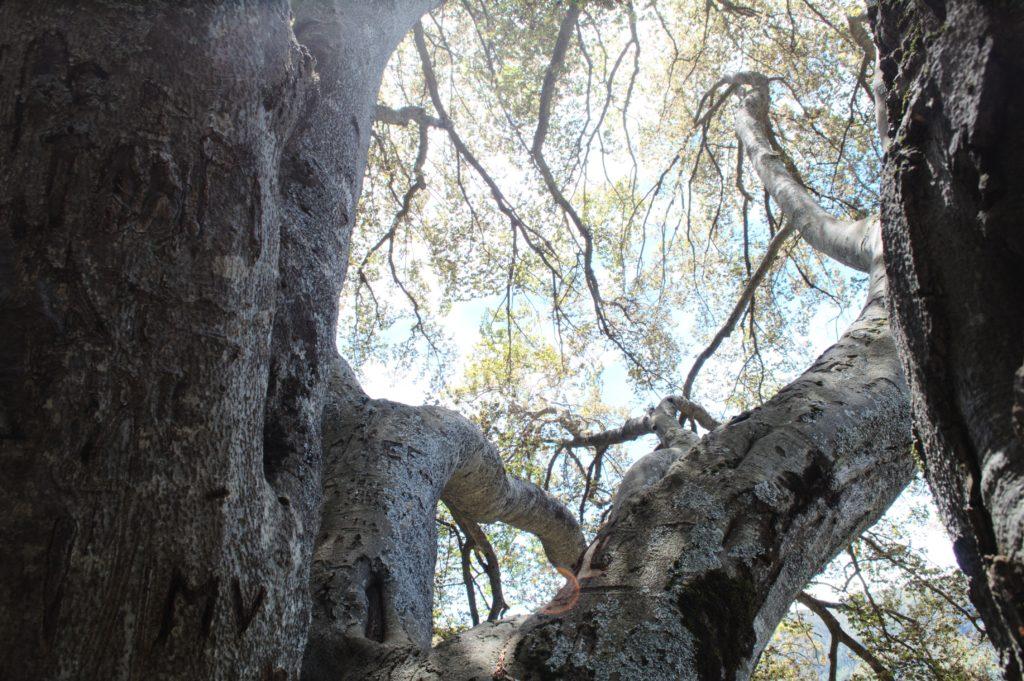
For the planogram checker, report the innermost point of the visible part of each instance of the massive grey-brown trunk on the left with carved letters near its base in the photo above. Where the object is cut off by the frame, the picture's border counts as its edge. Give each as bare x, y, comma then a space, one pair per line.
178, 187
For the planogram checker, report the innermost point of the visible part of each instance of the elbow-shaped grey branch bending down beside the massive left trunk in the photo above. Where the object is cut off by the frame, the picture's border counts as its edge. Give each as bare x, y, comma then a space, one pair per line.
387, 466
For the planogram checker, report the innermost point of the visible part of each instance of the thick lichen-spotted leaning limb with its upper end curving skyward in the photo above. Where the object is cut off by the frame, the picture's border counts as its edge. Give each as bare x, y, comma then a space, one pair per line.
711, 541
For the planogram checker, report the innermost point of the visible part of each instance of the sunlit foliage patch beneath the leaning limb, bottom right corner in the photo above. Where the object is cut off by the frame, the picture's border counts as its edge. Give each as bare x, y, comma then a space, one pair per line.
913, 615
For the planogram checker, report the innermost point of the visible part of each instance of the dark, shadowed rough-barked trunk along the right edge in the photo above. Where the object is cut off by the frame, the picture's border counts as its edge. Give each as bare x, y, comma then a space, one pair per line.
953, 209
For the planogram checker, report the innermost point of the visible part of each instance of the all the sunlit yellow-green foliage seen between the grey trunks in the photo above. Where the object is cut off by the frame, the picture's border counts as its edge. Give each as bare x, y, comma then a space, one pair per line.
608, 254
